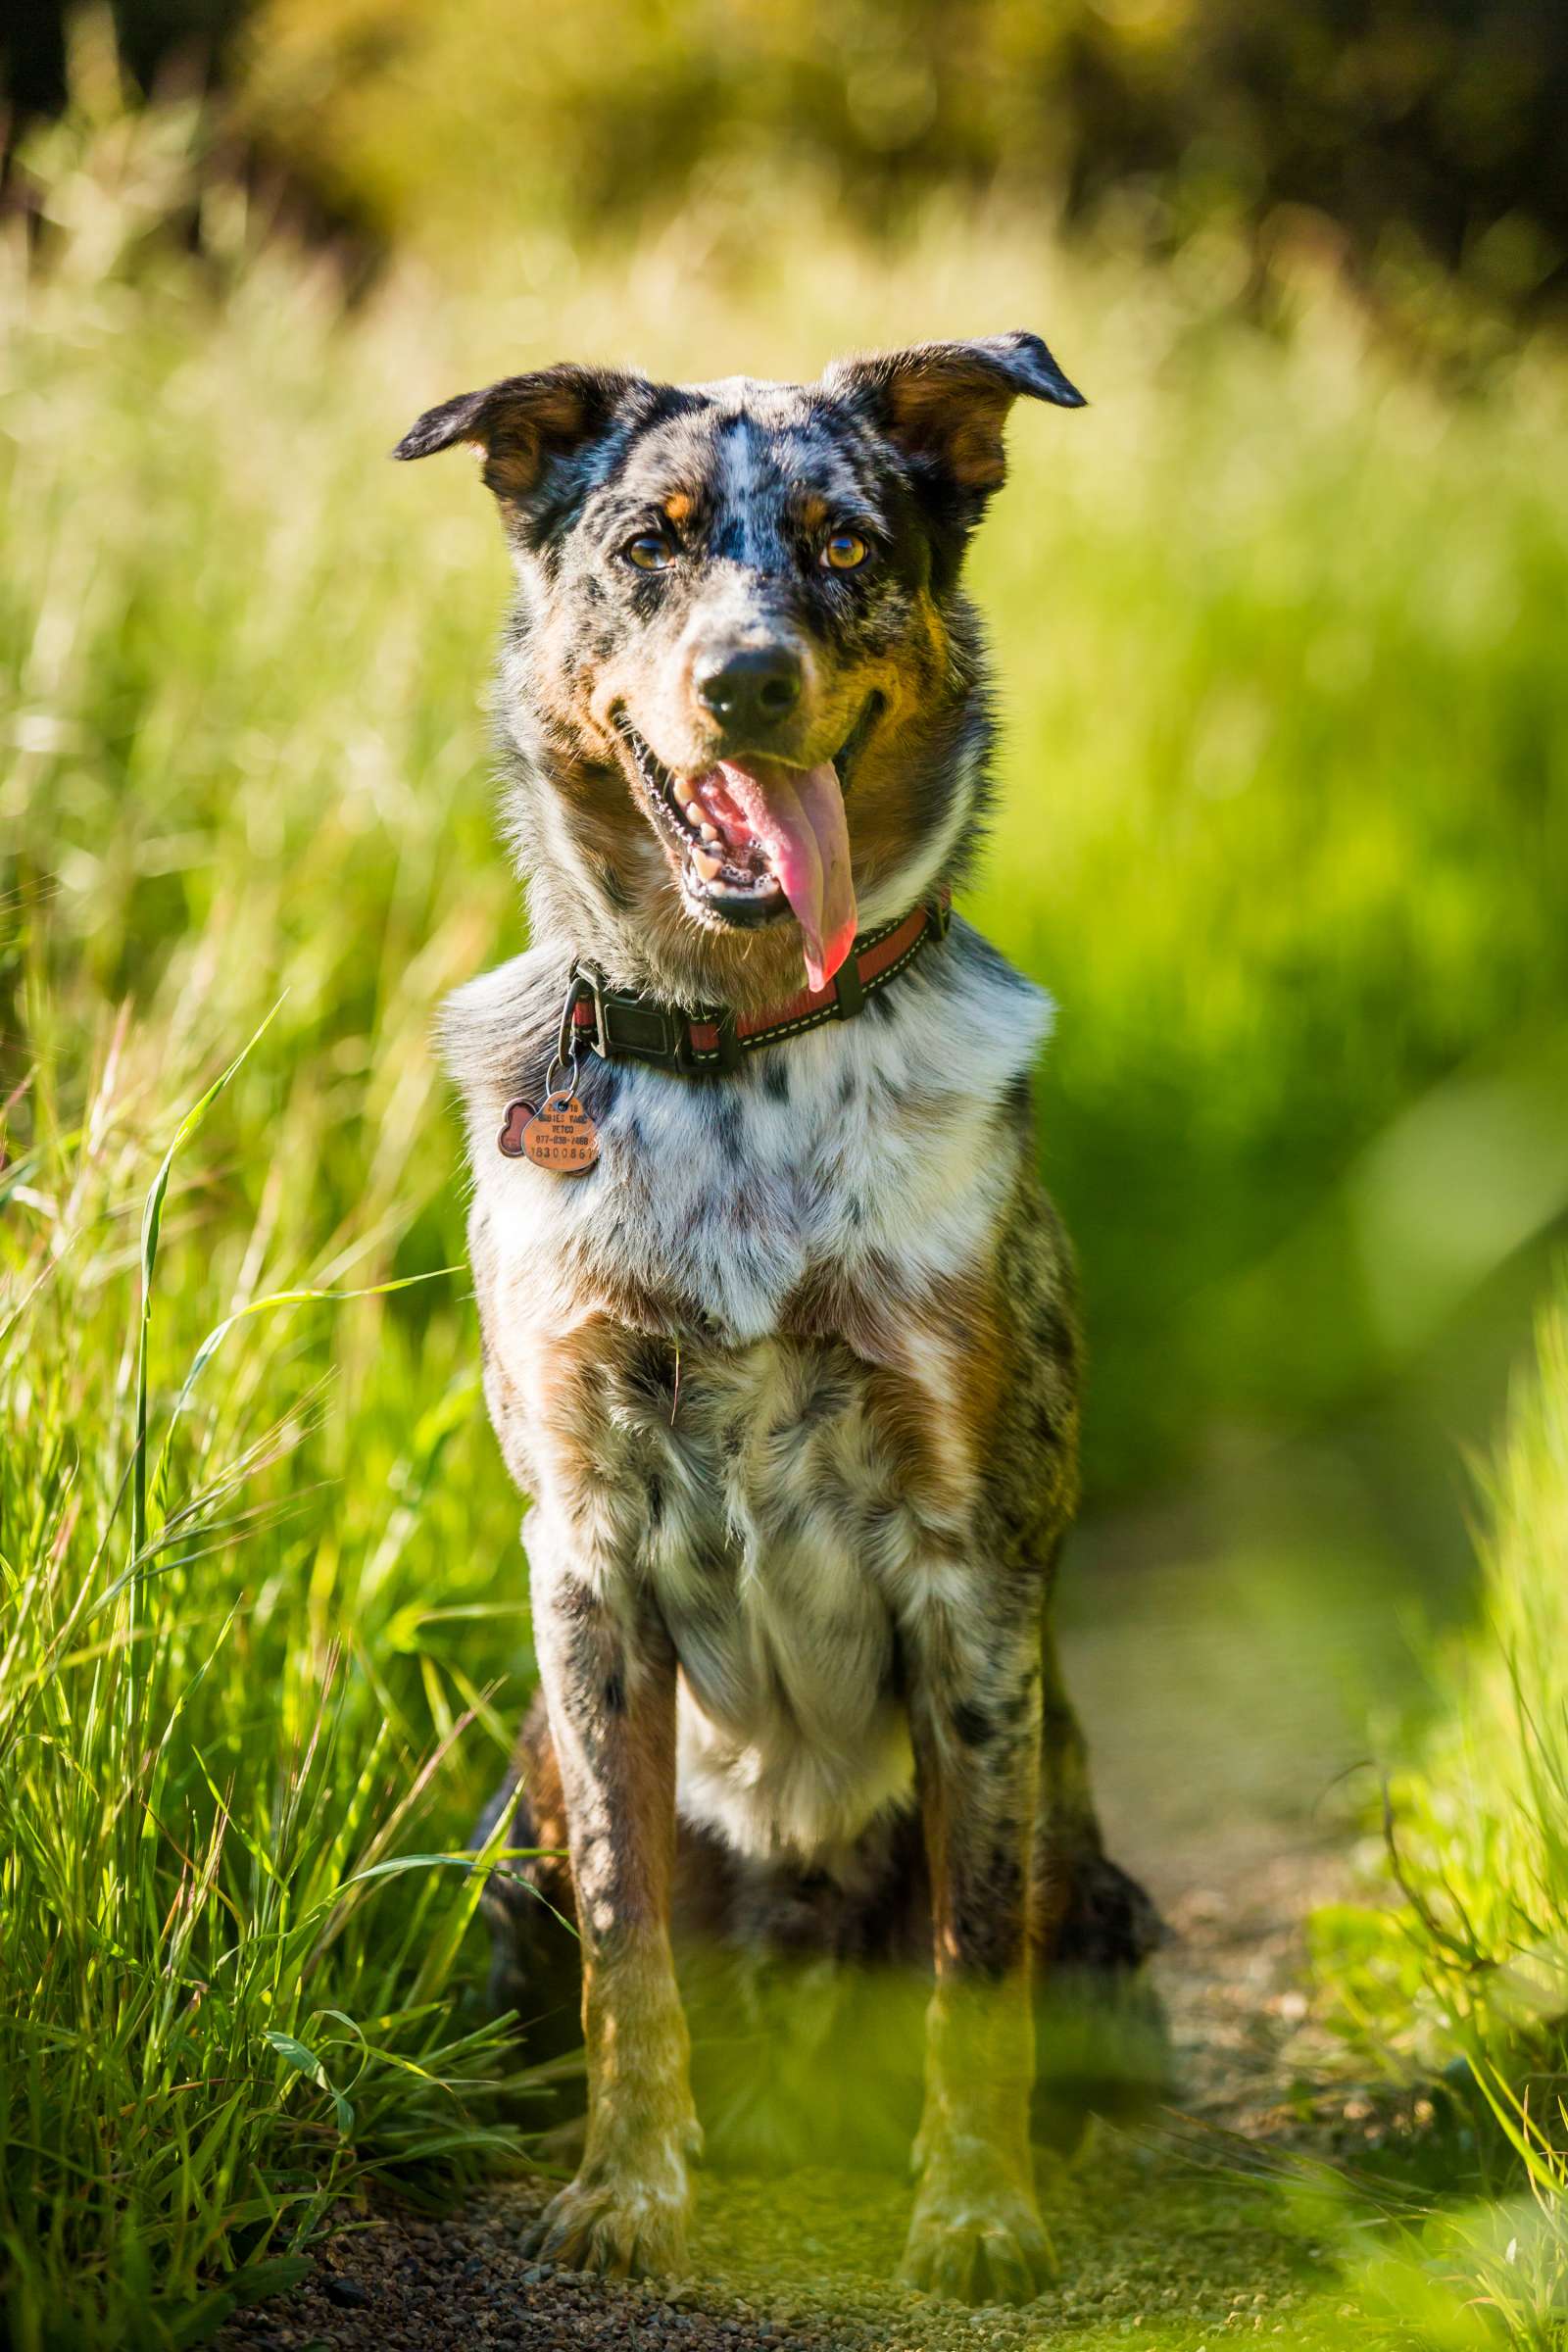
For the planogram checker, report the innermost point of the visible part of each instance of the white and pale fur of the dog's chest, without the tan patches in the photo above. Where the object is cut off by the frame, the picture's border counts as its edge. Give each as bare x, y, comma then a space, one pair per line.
873, 1165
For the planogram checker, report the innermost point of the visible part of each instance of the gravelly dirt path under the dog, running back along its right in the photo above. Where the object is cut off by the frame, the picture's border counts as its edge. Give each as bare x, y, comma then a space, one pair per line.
1217, 1737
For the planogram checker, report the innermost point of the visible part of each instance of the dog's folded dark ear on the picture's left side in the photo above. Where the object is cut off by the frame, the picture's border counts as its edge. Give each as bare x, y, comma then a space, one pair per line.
525, 427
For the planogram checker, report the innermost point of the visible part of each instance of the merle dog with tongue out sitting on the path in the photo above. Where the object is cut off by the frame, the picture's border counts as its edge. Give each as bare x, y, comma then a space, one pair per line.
779, 1323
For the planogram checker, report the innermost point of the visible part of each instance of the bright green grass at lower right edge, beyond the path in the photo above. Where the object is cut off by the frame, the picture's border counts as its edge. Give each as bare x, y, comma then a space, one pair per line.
1459, 1984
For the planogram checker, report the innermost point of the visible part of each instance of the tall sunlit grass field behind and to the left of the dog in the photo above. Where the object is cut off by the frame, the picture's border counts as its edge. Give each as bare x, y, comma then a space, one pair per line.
1285, 824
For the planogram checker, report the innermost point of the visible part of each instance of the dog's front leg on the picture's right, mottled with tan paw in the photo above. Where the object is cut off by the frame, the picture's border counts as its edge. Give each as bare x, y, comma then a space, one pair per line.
974, 1718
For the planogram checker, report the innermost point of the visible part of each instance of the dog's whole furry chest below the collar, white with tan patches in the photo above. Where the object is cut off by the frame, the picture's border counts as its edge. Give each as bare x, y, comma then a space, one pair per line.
725, 1361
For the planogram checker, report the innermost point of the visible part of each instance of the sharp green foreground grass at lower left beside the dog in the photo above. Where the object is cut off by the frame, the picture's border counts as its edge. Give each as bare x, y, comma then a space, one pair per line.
227, 1958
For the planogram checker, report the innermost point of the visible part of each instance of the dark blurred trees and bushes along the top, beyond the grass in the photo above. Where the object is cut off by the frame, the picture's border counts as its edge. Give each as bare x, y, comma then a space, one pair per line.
1405, 135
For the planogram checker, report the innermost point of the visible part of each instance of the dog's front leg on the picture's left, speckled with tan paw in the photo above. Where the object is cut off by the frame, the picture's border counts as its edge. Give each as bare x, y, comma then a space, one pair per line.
610, 1688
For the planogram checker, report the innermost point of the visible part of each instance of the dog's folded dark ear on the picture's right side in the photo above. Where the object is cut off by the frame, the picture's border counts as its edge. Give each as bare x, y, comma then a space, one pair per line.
946, 403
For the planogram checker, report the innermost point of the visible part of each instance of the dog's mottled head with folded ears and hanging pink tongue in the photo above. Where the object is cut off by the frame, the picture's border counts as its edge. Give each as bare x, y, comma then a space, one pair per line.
744, 667
